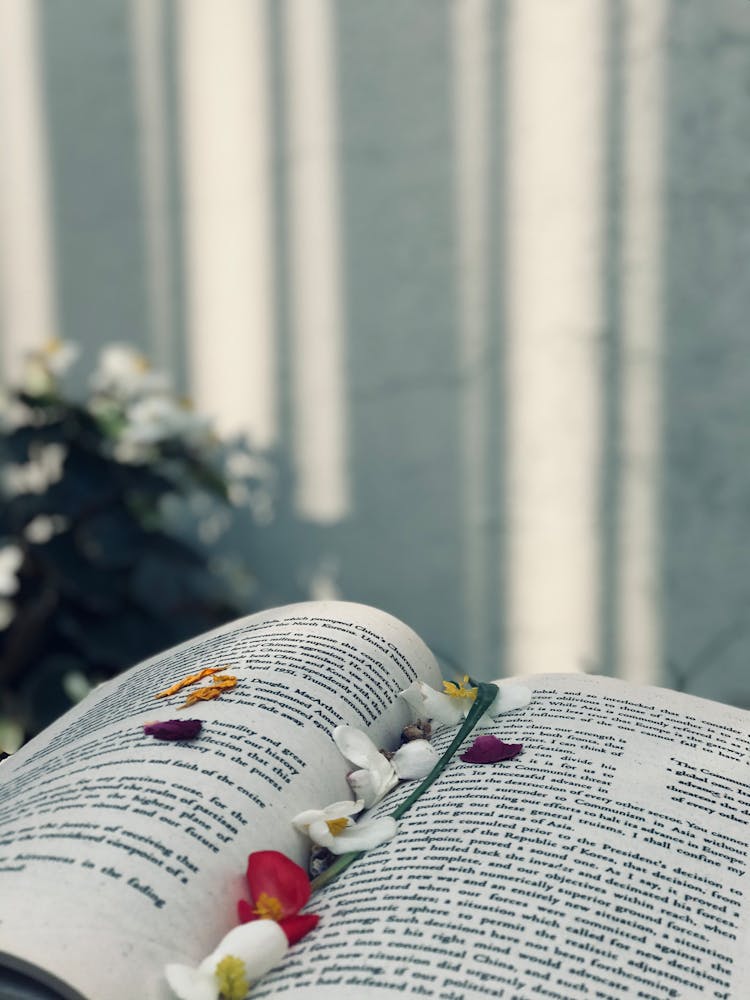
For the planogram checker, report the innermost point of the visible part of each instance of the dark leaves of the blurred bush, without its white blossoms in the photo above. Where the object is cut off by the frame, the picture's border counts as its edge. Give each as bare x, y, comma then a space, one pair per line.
101, 581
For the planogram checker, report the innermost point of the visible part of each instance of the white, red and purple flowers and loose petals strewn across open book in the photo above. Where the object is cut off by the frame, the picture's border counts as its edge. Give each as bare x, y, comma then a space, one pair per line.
279, 889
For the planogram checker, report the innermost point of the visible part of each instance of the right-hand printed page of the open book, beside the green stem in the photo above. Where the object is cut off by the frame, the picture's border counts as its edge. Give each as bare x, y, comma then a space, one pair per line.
608, 860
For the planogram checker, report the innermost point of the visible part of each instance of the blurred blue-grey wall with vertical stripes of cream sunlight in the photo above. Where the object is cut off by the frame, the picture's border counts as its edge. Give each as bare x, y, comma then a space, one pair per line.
476, 273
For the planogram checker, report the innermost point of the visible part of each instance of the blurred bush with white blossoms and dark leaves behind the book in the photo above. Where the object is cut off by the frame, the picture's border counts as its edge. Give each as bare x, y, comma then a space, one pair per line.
108, 507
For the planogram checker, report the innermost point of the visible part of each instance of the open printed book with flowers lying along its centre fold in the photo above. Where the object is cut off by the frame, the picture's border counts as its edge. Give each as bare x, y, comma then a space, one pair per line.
608, 860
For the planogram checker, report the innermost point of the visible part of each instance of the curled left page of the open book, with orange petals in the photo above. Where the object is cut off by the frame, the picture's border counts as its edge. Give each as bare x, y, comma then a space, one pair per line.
120, 852
